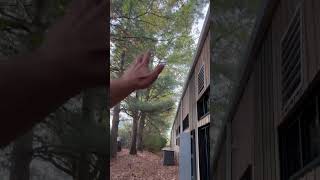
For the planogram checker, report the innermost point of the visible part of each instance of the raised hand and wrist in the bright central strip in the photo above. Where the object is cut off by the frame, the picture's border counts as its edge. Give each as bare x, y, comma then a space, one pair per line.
137, 76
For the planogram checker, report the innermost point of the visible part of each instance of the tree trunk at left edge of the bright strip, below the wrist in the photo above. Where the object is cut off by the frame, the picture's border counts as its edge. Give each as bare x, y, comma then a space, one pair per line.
114, 130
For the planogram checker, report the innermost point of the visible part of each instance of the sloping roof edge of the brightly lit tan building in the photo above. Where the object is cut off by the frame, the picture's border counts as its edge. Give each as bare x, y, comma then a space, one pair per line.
202, 38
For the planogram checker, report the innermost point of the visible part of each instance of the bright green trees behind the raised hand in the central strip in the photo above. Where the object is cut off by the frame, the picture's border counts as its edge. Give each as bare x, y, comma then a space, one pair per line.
144, 118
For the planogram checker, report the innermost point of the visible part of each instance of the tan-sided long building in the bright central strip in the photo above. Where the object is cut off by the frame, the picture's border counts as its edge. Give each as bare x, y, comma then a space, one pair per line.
190, 130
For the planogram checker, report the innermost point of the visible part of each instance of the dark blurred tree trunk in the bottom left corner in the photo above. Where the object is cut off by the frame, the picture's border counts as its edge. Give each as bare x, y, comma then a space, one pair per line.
21, 157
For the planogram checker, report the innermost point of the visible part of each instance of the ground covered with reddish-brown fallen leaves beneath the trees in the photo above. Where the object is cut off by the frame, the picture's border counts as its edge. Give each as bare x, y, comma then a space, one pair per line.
143, 166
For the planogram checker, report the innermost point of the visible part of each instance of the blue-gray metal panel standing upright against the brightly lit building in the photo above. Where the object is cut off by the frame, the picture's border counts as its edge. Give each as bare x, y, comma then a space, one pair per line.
185, 156
